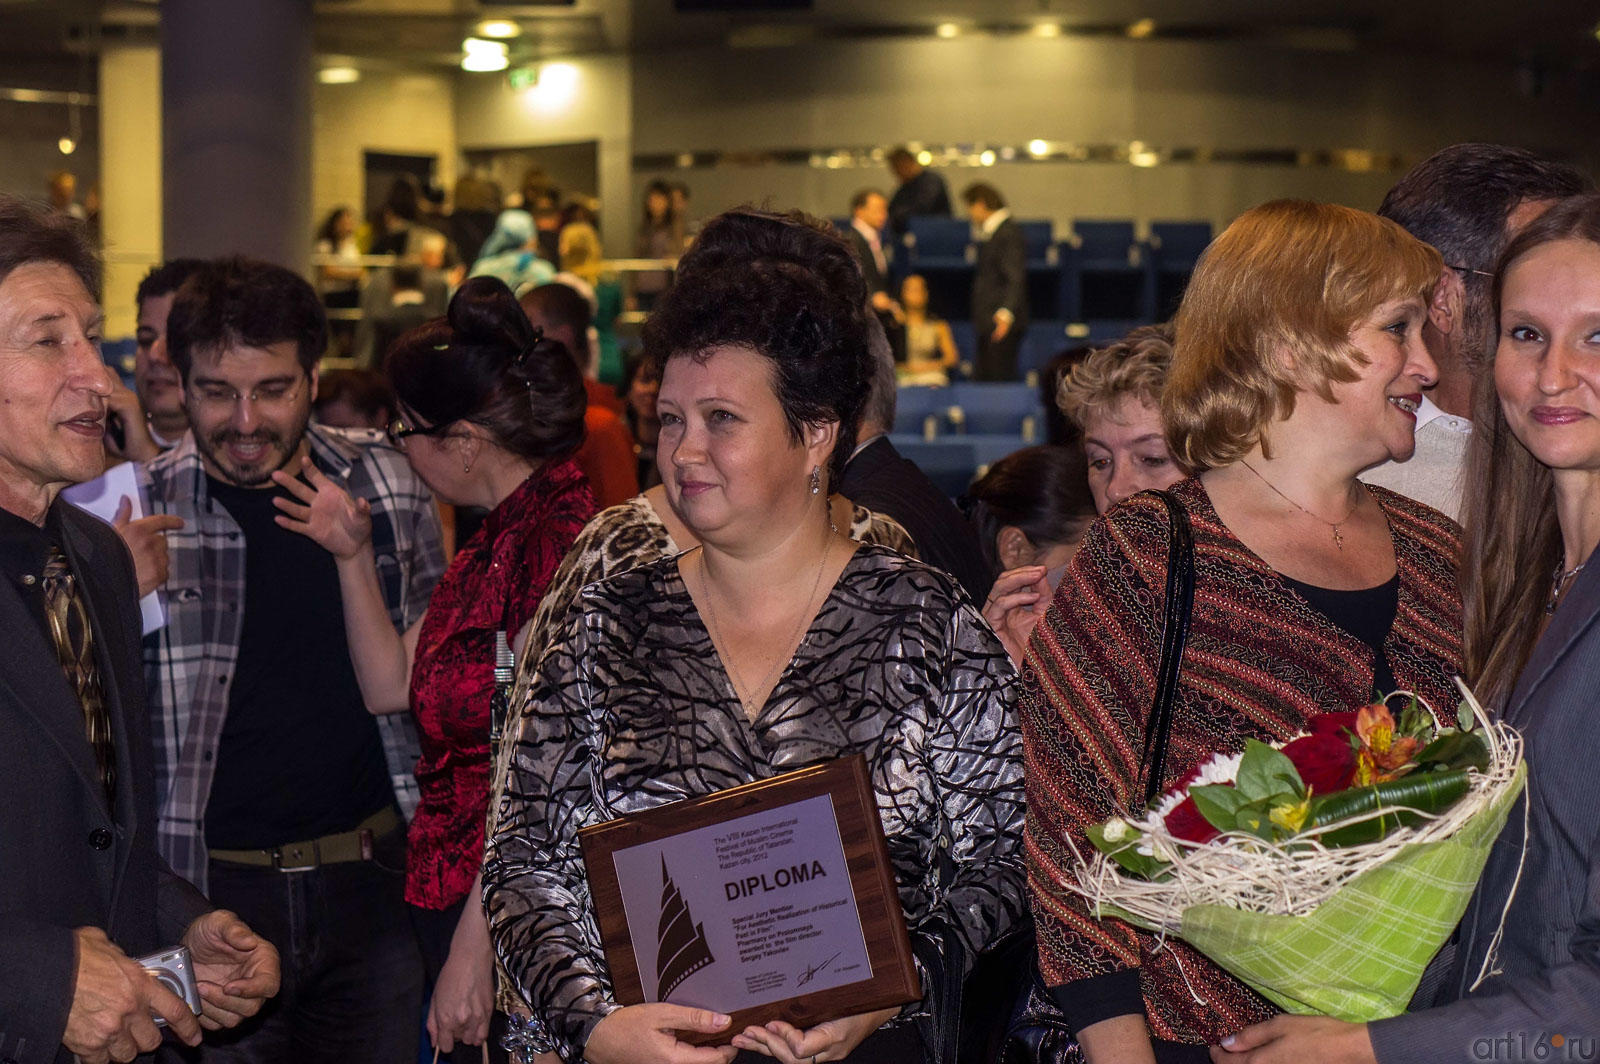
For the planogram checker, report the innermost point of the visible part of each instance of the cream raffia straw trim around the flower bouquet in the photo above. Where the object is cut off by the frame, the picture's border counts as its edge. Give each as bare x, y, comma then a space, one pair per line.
1241, 871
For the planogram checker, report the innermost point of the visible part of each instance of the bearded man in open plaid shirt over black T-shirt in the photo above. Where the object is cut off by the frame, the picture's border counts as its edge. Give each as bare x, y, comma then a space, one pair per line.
279, 790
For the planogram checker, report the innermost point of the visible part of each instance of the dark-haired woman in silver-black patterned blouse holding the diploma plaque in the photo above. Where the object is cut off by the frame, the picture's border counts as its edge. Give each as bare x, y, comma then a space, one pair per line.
780, 644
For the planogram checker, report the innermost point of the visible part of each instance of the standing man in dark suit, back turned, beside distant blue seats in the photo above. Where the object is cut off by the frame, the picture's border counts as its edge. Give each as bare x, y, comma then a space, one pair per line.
999, 284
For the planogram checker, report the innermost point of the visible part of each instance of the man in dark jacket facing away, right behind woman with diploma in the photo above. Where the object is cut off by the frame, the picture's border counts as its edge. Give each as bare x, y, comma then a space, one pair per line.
882, 479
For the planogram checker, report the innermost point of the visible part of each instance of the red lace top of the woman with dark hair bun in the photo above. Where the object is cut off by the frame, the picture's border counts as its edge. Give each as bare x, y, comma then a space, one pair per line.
495, 583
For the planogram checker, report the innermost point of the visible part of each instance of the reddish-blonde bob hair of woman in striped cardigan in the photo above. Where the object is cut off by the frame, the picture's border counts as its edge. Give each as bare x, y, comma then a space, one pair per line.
1270, 314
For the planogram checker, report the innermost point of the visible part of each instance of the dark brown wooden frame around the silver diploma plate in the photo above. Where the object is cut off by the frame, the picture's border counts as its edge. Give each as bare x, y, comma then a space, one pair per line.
894, 978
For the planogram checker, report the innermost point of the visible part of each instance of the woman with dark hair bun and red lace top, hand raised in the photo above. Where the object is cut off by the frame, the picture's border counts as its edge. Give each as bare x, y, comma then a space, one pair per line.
490, 415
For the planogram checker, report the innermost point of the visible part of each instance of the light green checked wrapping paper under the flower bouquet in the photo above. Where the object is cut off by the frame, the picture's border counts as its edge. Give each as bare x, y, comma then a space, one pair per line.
1361, 954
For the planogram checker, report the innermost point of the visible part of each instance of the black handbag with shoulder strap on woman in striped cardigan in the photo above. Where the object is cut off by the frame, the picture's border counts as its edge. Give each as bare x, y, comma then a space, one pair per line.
1041, 1033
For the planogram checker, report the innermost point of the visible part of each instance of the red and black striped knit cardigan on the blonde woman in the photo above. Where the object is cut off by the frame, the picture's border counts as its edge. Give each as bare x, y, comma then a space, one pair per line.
1258, 665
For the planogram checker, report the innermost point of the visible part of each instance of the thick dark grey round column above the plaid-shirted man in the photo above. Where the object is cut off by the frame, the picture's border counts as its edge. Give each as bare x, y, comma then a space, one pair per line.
236, 82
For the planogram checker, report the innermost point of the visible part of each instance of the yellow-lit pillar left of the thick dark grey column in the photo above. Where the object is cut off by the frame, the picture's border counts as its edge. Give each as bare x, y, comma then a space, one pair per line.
130, 148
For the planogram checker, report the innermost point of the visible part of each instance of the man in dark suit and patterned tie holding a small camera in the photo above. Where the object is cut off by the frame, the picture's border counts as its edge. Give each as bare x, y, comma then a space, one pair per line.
84, 890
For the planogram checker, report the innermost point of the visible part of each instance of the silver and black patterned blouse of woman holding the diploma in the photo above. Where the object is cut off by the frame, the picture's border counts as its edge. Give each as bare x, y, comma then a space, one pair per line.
633, 710
